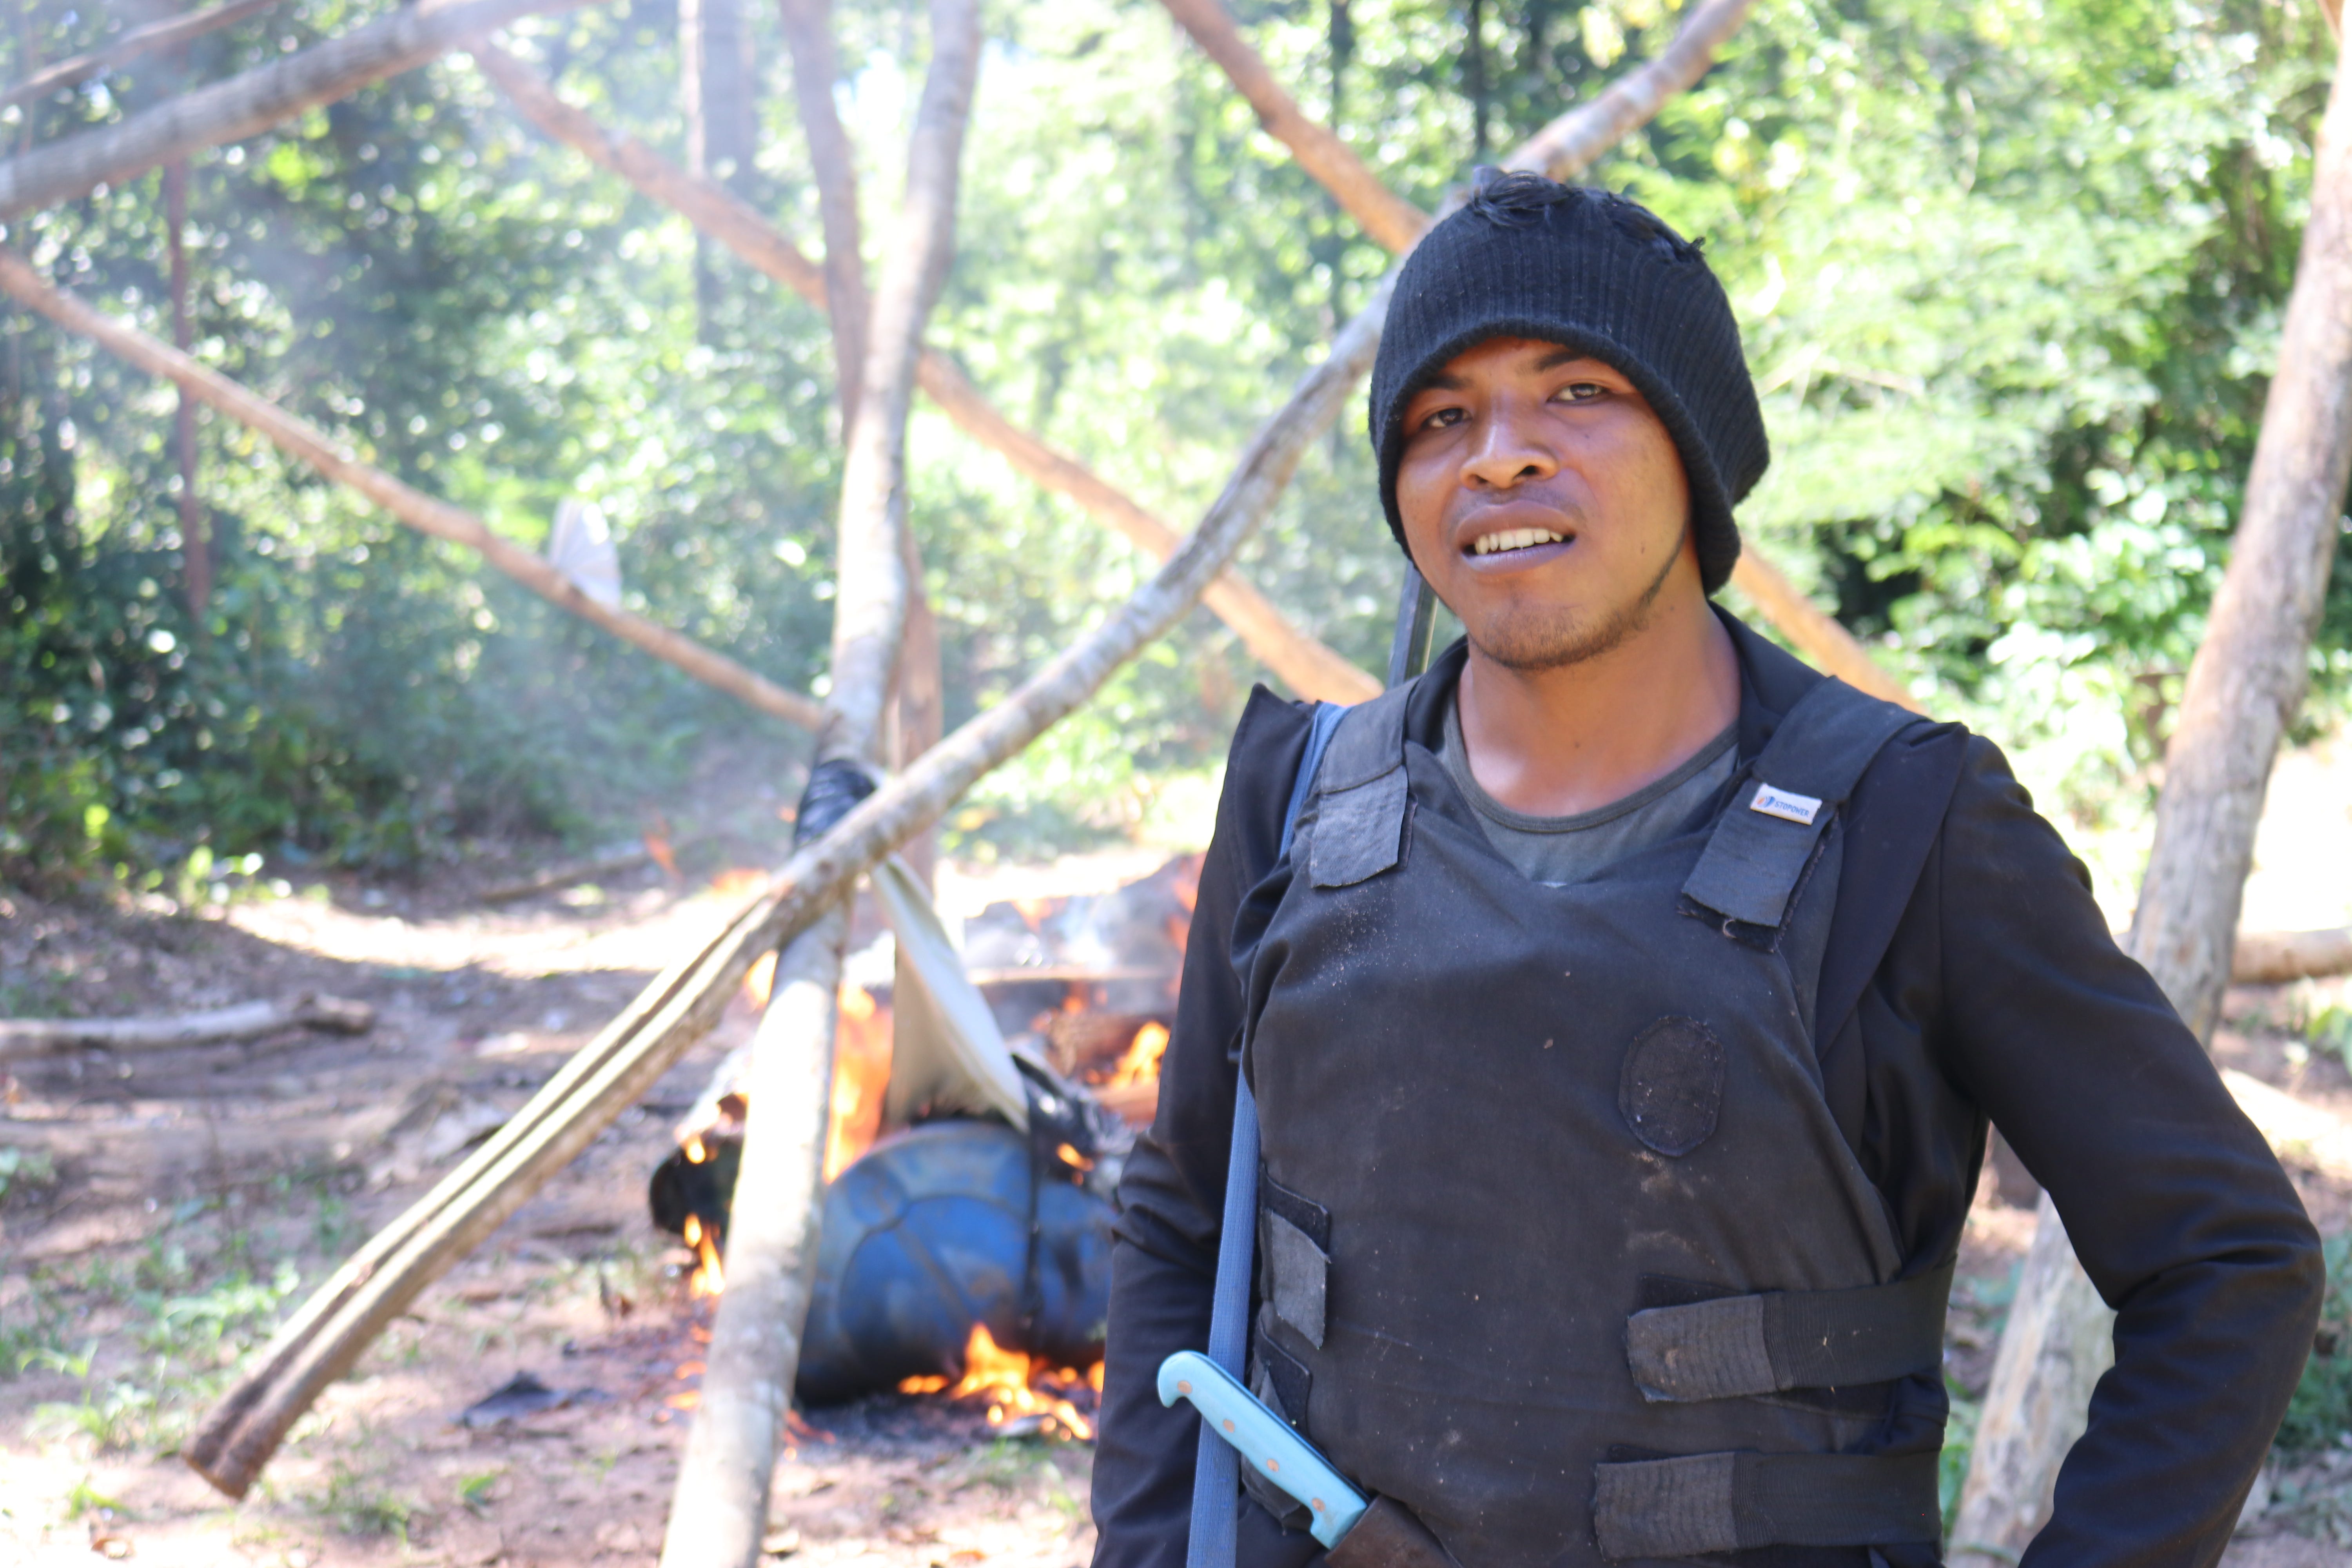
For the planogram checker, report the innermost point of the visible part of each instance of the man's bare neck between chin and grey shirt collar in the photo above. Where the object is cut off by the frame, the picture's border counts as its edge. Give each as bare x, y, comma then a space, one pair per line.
1589, 735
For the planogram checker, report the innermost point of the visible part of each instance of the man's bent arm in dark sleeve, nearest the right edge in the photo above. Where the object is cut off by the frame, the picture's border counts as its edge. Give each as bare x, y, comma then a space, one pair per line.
2174, 1202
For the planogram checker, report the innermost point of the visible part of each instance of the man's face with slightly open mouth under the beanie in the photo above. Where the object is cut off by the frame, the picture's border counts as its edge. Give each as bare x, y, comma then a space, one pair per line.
1544, 502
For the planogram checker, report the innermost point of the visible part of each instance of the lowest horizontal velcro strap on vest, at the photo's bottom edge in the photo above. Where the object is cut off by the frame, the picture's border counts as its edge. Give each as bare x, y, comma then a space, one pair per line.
1744, 1501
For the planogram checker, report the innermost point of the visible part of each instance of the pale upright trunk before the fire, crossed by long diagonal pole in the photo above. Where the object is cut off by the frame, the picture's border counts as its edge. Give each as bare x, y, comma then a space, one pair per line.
719, 1513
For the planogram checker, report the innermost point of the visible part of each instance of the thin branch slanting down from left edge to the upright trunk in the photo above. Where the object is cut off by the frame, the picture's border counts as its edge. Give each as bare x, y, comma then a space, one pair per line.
415, 509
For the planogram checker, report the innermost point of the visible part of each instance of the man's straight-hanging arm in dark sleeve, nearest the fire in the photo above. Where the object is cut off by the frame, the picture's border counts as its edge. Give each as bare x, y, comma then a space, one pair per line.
1175, 1191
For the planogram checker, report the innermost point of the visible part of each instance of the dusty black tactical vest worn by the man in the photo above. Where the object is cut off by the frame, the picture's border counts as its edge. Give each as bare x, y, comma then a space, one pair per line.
1561, 1245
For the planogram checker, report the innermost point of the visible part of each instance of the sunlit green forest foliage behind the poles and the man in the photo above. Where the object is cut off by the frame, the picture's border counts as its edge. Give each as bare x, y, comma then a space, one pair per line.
2010, 279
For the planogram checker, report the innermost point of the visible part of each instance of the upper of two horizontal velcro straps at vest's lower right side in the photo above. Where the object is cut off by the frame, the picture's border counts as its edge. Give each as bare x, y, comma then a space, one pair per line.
1784, 1341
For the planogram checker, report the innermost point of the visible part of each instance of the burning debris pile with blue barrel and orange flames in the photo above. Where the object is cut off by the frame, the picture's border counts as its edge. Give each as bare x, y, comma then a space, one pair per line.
980, 1123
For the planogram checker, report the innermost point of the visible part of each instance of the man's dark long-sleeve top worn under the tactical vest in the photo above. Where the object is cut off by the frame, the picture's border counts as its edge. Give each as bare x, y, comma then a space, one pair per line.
1970, 974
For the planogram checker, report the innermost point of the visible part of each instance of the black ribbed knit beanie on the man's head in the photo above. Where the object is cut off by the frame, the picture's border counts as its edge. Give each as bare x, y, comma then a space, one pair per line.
1603, 276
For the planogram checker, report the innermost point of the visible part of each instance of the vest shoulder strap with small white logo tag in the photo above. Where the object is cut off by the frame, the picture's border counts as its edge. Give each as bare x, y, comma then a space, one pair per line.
1808, 770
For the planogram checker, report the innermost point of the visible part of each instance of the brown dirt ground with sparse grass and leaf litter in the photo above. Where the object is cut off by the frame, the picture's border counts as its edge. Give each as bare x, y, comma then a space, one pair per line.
161, 1212
